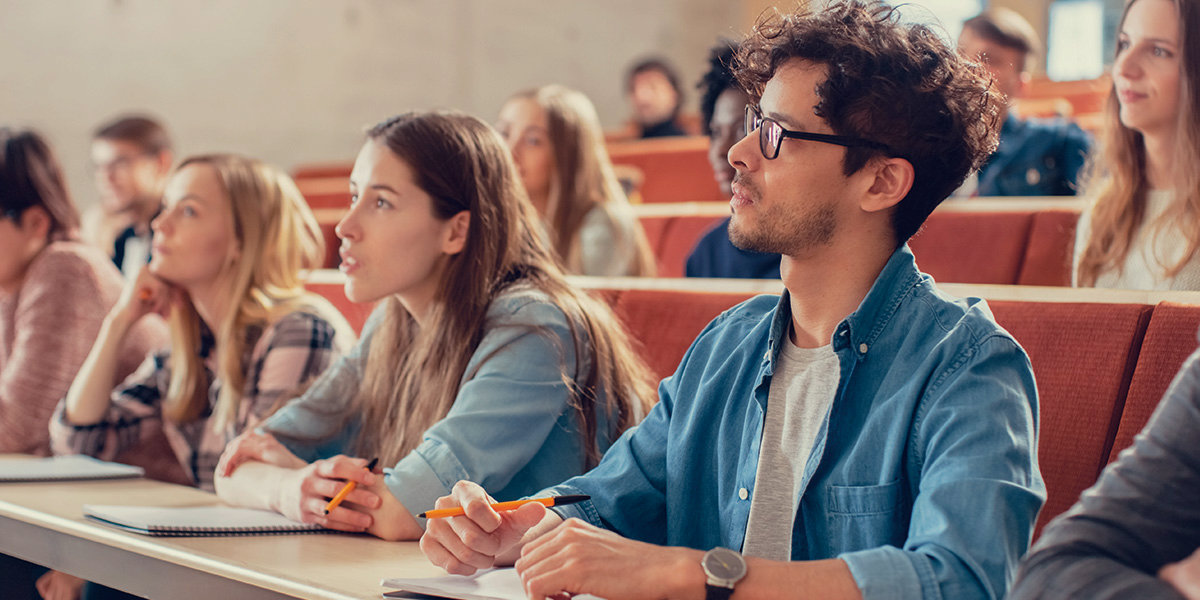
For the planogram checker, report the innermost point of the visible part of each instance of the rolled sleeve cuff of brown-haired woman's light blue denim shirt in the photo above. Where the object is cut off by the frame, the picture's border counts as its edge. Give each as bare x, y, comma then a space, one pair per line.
423, 477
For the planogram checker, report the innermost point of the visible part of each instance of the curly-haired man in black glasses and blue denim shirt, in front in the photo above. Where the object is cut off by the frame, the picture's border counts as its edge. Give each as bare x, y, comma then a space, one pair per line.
865, 435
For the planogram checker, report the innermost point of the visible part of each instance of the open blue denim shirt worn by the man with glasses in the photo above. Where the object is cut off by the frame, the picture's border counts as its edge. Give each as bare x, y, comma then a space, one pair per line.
925, 475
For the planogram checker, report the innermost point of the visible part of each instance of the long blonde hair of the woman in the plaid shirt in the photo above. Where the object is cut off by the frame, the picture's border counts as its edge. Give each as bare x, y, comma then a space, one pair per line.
279, 238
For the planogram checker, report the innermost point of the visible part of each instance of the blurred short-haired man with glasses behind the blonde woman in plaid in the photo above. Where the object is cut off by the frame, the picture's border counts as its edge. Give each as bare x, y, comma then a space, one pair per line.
133, 160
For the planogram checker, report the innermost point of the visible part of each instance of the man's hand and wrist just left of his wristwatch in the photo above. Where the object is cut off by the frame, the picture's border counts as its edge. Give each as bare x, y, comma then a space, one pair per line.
580, 559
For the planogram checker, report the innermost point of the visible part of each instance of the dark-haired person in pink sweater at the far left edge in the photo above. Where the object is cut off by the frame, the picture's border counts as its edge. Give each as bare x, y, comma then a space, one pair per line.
55, 293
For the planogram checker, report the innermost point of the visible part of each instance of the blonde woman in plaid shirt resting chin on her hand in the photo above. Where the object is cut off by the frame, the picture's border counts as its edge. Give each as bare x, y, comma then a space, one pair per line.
226, 265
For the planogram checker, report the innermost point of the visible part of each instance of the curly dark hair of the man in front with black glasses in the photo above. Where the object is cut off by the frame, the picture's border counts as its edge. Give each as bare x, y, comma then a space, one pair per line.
892, 83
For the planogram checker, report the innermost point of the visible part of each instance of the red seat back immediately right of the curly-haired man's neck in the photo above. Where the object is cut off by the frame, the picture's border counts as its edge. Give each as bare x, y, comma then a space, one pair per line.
973, 248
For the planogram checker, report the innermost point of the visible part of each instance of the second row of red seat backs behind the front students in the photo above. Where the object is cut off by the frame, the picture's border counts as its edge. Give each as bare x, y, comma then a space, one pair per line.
982, 241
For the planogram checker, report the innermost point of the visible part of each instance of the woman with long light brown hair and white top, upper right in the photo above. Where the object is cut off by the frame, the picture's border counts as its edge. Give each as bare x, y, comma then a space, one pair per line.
1143, 230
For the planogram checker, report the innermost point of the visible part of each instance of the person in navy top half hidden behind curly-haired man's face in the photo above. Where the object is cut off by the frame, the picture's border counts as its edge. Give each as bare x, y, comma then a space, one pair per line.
723, 110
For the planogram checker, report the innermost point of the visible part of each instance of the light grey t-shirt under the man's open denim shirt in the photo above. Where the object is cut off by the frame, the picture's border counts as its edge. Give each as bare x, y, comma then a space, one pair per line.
802, 391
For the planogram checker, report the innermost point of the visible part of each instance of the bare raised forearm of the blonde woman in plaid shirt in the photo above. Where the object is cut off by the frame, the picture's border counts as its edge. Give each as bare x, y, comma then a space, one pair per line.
88, 400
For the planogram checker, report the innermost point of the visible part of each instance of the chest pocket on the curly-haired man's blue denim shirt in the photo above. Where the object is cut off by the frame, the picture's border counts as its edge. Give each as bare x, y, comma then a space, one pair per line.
867, 517
